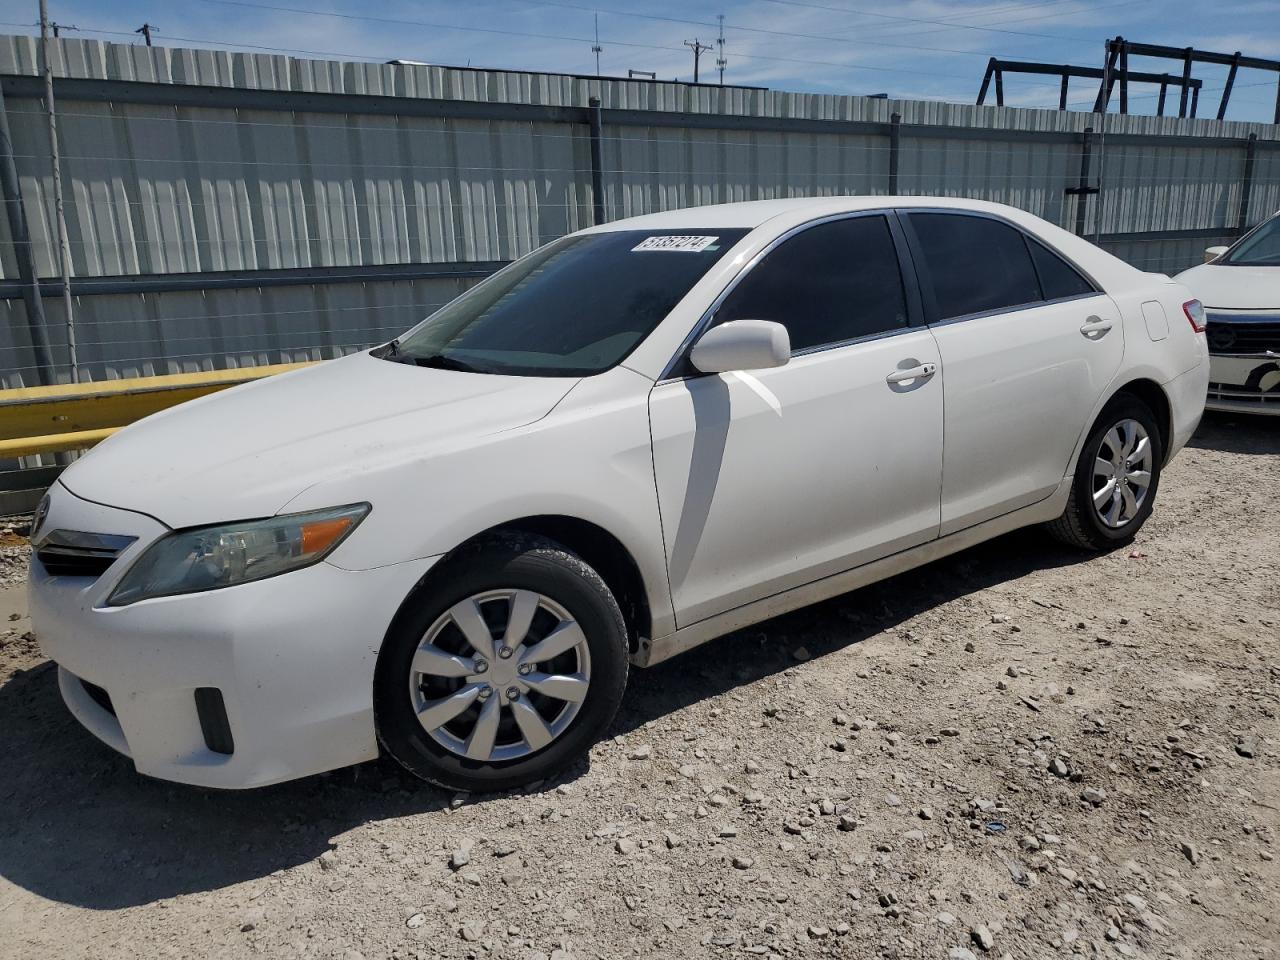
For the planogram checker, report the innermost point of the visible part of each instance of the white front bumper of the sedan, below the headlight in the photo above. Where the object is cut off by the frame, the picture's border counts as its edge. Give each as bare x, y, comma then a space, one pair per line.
292, 659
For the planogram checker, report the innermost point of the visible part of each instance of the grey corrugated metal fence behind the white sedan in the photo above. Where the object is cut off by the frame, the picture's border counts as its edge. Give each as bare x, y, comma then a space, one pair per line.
236, 209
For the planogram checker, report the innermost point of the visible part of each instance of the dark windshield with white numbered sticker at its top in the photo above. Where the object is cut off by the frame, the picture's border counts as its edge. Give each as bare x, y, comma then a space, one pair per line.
575, 308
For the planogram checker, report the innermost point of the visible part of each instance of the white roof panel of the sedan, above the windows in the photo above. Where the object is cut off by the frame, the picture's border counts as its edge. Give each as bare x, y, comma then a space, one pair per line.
755, 213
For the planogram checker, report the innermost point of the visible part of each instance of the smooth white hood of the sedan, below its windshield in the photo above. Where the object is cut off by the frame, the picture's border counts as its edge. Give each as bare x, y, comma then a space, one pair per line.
248, 451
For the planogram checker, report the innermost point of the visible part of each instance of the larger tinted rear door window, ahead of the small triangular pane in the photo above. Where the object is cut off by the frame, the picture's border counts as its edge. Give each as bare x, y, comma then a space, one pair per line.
977, 264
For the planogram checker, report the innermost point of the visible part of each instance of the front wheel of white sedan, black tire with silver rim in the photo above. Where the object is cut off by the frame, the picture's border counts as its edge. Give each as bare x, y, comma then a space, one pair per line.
497, 578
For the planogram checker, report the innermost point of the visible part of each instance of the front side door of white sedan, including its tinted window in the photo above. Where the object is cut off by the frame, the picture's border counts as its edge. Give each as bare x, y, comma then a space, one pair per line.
771, 479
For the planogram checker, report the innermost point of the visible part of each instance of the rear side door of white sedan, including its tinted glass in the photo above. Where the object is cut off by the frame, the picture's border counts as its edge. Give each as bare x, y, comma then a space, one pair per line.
1028, 346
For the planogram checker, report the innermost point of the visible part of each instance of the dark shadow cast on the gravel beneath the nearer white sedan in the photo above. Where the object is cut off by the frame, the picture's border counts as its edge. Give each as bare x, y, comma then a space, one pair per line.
83, 828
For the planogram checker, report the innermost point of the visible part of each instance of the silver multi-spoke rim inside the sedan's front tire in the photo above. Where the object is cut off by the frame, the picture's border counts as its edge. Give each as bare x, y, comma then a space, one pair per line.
500, 675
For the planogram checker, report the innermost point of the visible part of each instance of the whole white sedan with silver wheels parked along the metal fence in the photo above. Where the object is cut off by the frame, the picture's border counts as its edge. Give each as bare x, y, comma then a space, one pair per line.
638, 438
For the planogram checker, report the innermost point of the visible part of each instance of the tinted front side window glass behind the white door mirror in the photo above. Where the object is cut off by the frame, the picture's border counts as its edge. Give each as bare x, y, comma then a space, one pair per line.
830, 284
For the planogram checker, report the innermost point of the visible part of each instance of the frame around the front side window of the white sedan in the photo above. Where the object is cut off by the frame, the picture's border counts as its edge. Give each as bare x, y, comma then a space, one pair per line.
679, 367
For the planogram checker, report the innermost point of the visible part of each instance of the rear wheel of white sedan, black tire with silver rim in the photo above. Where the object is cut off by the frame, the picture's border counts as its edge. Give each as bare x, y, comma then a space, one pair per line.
1087, 527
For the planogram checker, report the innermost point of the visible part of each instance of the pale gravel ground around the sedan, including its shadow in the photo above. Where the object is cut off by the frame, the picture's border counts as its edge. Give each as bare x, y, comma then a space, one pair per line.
1017, 752
